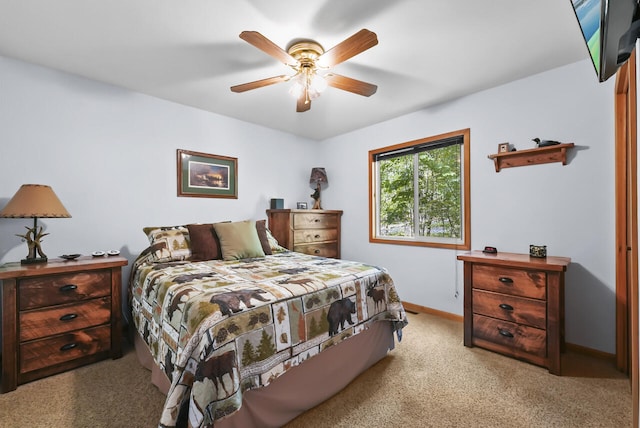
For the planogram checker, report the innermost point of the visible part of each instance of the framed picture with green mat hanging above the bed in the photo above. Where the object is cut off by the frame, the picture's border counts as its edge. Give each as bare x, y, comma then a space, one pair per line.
203, 175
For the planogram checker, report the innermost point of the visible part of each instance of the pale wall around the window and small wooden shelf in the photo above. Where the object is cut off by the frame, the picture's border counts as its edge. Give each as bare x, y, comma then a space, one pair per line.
568, 208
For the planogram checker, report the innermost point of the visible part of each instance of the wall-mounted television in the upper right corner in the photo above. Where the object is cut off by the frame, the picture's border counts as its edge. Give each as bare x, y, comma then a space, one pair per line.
610, 29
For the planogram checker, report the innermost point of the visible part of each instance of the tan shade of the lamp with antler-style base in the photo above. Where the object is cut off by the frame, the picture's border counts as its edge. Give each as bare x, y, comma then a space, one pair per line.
34, 201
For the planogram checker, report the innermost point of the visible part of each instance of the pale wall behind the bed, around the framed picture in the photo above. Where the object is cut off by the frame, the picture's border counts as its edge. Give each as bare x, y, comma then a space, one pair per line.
110, 156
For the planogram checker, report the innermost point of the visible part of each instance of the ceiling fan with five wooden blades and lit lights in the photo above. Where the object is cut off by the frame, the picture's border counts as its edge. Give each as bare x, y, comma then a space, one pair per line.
307, 58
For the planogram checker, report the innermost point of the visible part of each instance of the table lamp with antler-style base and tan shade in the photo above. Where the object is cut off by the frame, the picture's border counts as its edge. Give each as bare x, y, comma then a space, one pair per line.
34, 201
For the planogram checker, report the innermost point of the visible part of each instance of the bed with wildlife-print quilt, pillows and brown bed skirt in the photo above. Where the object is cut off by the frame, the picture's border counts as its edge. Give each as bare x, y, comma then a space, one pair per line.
240, 332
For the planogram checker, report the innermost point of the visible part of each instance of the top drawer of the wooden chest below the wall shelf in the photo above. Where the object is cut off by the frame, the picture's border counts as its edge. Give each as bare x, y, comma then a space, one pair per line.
519, 282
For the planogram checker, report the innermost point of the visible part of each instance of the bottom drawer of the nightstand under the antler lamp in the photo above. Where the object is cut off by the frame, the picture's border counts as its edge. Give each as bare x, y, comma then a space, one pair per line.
65, 347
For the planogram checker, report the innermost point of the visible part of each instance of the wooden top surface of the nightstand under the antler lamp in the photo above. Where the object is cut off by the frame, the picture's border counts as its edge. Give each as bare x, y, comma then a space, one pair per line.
53, 266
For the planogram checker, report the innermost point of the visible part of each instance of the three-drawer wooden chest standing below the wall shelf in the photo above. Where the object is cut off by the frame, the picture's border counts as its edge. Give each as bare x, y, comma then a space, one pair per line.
514, 305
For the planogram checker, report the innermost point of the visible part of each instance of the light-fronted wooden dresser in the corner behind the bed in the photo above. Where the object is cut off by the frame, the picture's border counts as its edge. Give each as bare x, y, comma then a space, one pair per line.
315, 232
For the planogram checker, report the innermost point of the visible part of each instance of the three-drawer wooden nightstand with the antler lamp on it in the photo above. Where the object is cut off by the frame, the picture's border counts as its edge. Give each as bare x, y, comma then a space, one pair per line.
59, 315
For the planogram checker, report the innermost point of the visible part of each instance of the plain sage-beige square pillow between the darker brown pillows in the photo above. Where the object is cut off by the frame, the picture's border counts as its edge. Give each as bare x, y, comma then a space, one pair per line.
239, 240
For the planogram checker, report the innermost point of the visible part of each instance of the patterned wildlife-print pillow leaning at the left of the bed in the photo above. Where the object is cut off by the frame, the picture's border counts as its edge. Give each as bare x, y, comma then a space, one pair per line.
168, 243
